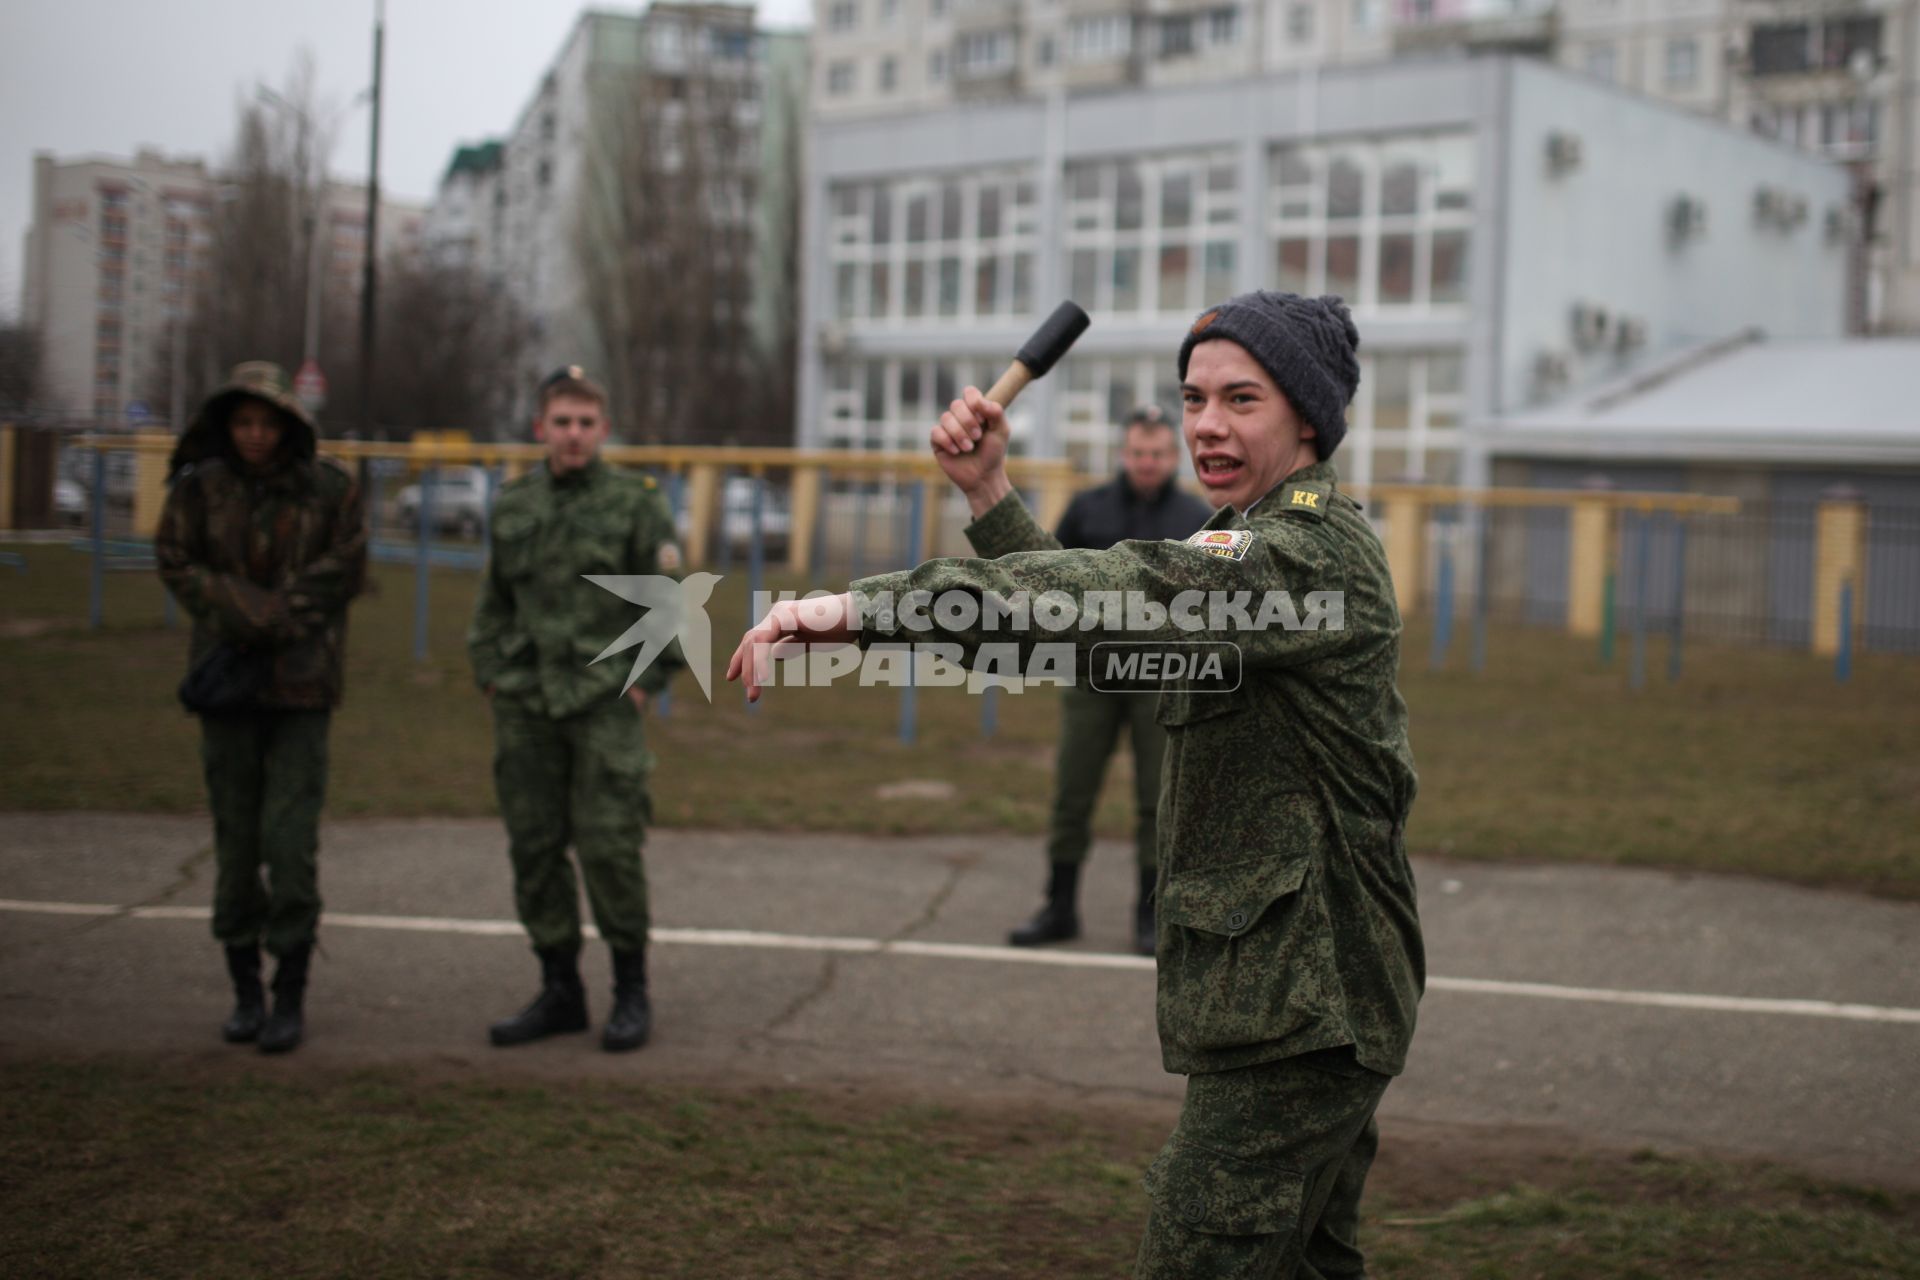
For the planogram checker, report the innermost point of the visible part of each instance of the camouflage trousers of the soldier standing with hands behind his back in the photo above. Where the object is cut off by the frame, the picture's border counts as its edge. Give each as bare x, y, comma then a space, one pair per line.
583, 782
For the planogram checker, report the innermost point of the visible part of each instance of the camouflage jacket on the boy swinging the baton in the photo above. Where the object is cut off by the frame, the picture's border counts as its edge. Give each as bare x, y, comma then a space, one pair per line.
1285, 903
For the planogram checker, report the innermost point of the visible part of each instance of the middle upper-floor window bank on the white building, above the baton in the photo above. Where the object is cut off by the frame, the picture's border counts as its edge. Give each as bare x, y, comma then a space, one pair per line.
1151, 235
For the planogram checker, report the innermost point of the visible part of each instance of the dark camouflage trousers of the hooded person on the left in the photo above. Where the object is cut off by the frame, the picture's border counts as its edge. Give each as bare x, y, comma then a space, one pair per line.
266, 784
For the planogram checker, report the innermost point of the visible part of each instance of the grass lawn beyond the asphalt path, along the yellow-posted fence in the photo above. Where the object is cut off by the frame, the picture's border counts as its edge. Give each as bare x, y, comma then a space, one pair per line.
1756, 761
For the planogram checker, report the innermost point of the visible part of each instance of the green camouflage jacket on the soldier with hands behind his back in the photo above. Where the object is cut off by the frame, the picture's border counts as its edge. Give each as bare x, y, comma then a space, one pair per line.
539, 625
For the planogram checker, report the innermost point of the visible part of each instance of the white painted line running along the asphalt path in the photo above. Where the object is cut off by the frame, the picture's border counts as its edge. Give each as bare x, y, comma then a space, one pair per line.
1017, 957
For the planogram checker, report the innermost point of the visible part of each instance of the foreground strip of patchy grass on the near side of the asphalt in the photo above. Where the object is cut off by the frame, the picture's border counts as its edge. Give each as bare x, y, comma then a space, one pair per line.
224, 1170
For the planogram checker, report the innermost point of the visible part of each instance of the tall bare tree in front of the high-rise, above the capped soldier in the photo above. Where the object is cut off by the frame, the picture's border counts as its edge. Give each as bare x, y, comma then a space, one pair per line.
663, 245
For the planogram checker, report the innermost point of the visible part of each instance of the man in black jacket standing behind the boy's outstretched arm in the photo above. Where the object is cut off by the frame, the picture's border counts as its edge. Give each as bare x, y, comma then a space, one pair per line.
1141, 502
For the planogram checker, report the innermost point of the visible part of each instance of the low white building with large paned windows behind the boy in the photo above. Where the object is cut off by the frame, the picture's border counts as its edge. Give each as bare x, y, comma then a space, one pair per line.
1504, 231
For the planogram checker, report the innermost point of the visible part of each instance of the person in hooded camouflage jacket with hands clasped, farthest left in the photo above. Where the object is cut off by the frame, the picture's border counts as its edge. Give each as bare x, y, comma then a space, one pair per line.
264, 544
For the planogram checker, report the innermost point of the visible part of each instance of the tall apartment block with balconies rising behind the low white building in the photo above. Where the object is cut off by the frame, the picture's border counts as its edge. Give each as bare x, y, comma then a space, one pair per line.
1836, 78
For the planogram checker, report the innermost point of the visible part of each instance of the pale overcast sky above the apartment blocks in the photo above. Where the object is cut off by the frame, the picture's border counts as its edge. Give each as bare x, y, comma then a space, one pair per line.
105, 78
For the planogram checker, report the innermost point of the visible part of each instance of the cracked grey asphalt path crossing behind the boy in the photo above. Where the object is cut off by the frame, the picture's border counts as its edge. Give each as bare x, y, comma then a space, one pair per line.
1823, 1093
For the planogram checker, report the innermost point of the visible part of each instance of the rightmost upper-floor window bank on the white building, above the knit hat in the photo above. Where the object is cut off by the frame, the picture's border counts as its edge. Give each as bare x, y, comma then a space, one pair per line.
1383, 224
